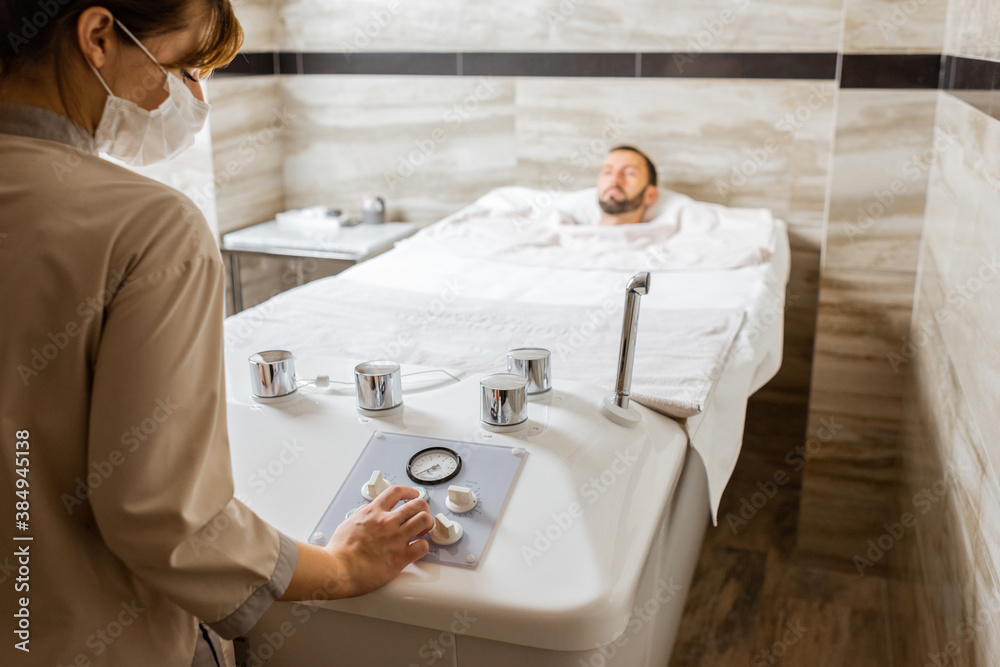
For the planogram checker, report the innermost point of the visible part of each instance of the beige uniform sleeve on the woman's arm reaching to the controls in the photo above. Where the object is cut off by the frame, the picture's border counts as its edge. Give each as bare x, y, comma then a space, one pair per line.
167, 509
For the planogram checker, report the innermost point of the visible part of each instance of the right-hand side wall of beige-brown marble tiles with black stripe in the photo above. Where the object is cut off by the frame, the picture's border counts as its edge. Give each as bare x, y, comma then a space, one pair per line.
949, 563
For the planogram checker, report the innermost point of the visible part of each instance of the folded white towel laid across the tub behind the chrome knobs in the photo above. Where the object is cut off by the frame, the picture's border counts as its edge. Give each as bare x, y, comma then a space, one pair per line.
679, 354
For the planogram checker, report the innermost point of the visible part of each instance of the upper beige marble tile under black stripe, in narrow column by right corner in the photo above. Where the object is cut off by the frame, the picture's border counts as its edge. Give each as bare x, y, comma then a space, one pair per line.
884, 151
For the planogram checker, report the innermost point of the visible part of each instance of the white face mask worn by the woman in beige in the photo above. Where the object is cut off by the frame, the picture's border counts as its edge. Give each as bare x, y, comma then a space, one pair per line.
141, 138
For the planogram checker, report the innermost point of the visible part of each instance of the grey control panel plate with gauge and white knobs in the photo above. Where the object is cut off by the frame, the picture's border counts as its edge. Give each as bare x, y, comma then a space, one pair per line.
489, 470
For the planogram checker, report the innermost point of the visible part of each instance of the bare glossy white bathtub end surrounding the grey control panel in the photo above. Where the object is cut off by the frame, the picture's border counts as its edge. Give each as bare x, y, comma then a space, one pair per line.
590, 561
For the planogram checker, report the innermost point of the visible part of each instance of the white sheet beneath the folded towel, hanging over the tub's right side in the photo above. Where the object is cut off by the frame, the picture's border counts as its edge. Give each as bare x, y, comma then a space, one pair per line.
755, 356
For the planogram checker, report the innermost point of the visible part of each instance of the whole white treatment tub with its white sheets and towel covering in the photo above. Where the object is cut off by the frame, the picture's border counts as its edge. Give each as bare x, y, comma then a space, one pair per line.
594, 547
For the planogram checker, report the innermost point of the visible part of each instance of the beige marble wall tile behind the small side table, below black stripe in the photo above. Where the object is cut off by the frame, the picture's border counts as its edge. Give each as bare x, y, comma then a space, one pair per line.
429, 145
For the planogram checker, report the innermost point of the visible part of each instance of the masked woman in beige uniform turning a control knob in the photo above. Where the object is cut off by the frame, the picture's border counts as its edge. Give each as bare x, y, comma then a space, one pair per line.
122, 541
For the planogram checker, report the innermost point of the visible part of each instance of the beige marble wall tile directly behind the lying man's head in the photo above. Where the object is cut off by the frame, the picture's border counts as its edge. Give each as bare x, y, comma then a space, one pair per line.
745, 143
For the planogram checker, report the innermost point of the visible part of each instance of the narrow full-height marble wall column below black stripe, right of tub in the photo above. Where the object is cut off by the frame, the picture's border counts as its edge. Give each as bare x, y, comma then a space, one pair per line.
881, 160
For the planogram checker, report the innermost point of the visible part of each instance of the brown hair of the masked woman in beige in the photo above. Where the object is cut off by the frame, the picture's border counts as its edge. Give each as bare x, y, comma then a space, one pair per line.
42, 33
